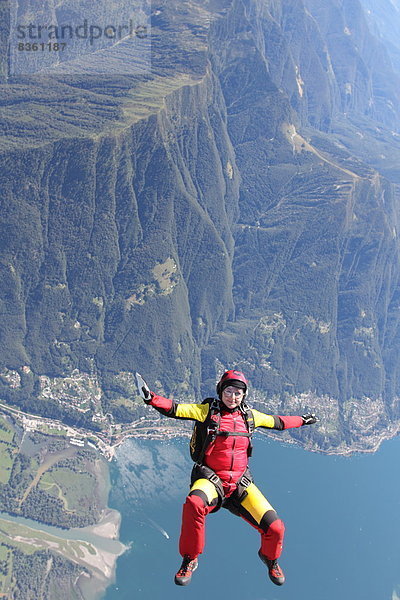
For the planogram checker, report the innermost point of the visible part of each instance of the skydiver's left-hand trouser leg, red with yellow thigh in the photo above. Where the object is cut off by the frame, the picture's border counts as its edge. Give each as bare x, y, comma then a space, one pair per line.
197, 506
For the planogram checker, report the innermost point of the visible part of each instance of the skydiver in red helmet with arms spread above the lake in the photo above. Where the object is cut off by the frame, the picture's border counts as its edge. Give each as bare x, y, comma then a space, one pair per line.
221, 446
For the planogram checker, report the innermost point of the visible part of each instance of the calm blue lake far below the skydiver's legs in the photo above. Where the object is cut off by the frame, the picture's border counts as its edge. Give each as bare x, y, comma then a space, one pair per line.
342, 518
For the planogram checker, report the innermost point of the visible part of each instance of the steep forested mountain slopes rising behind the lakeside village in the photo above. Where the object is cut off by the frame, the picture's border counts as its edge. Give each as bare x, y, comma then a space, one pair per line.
231, 198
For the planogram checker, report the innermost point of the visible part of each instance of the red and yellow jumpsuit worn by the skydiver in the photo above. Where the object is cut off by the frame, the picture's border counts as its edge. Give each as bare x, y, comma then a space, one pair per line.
227, 456
